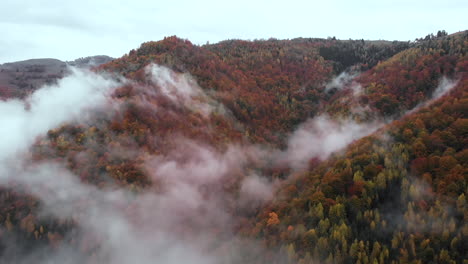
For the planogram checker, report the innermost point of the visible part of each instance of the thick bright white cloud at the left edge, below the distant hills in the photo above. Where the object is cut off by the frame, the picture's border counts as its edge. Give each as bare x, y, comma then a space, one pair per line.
70, 99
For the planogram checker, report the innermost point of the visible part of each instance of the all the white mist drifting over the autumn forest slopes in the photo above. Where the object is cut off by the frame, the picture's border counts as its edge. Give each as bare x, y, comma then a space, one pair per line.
188, 213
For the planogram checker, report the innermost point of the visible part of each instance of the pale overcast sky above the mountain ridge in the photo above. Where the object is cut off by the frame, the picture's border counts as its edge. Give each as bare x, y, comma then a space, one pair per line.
71, 29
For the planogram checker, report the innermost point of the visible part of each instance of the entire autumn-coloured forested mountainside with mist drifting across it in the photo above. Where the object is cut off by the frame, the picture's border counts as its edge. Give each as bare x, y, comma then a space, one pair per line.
271, 151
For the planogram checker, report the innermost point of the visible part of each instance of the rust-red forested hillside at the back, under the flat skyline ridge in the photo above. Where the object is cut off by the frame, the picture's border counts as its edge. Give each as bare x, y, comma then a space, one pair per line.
287, 76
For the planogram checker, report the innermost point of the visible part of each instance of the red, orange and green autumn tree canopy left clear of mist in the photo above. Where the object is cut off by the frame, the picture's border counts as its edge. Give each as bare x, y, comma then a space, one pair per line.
396, 196
